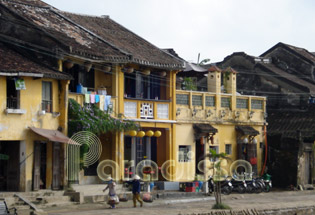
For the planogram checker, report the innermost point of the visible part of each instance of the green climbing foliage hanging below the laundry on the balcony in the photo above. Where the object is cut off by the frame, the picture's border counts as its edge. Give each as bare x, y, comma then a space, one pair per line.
95, 120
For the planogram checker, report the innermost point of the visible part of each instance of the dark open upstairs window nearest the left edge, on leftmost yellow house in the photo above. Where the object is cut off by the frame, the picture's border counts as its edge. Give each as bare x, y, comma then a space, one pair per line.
13, 95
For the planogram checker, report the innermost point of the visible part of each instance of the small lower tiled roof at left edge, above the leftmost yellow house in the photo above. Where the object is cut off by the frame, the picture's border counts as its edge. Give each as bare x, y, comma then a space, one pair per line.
13, 63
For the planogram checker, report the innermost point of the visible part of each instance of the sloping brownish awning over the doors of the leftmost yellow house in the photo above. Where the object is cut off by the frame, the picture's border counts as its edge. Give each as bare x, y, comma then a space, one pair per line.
53, 135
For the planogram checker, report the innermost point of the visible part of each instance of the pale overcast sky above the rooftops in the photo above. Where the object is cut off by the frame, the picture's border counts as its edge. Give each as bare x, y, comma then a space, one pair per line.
213, 28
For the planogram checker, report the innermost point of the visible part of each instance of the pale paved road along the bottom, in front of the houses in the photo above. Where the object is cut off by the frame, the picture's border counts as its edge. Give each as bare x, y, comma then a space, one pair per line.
272, 200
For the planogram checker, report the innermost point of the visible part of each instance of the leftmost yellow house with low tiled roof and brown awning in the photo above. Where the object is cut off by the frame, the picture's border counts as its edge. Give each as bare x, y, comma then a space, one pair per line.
33, 123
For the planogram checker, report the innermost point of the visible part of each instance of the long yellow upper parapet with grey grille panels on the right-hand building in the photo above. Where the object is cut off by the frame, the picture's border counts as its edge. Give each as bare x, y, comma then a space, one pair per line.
207, 106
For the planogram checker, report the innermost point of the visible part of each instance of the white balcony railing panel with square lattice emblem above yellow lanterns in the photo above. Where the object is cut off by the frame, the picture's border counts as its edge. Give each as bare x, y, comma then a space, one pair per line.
147, 109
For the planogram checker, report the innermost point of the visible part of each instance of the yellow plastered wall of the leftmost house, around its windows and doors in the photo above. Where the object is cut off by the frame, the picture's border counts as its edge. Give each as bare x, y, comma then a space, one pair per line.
14, 127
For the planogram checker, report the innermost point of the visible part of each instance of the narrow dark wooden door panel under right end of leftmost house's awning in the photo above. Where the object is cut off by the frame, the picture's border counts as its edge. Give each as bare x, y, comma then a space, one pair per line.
56, 166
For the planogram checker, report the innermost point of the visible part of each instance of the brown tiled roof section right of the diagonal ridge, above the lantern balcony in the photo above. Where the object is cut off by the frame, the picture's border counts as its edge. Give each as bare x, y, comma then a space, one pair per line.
141, 50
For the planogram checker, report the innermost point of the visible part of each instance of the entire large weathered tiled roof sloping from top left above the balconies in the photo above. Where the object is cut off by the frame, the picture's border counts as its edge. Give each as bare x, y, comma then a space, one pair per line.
98, 38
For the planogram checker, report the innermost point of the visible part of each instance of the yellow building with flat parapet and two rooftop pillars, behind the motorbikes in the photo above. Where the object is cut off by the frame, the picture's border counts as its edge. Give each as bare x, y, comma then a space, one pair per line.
220, 119
